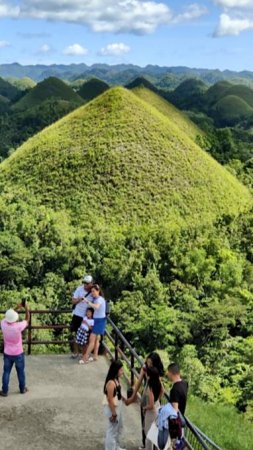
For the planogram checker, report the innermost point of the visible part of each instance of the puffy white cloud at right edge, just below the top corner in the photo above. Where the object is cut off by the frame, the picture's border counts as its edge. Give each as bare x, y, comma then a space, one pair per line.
232, 27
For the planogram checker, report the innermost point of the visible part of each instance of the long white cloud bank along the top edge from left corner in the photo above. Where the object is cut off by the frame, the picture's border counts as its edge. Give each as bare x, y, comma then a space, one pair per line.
114, 16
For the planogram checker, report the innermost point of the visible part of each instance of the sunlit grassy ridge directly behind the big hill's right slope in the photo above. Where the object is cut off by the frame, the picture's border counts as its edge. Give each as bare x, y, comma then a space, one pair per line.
171, 112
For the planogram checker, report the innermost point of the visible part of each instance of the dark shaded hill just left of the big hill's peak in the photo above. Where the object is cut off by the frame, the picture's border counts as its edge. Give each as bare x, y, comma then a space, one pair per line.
51, 88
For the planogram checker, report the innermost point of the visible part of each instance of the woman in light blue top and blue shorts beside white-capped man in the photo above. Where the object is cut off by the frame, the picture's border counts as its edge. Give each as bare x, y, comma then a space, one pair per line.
98, 303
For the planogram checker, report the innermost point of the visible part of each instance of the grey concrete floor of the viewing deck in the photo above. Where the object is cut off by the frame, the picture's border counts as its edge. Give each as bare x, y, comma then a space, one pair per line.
63, 409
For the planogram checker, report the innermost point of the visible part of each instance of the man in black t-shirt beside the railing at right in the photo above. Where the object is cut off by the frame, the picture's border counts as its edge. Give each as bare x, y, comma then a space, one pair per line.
179, 391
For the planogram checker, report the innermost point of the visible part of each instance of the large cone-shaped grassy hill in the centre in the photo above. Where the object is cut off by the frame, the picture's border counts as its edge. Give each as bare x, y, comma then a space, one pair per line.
119, 158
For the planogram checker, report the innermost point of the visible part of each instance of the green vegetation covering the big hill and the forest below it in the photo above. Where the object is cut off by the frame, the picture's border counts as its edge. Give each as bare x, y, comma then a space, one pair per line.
119, 188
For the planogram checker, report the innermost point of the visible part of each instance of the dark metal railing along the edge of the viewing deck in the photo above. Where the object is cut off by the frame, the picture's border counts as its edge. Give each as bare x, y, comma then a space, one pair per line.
118, 347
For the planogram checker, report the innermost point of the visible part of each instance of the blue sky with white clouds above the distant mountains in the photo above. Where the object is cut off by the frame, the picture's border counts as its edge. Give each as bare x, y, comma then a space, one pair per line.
201, 33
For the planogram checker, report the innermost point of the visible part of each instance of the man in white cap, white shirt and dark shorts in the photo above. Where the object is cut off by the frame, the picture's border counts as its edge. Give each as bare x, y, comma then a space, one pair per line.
81, 294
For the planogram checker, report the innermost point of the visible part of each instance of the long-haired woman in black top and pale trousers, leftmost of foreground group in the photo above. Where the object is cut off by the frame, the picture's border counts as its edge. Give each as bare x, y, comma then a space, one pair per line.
113, 406
